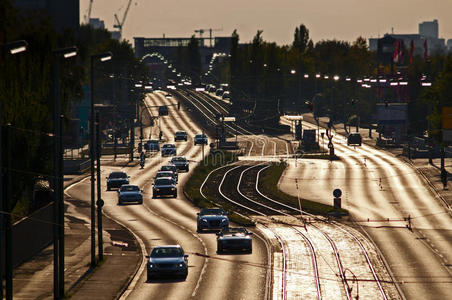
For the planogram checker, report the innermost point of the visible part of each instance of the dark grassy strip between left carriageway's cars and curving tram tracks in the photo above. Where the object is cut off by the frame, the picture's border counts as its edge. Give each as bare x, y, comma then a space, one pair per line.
214, 160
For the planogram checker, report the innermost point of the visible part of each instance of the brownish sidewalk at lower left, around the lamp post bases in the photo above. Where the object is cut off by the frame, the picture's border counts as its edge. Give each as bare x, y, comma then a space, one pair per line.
122, 258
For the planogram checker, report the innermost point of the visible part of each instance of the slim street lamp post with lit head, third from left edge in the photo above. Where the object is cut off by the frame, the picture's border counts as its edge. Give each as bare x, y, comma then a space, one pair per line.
101, 57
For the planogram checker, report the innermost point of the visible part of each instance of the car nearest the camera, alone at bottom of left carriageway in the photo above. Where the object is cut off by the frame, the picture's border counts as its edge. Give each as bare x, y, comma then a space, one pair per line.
168, 261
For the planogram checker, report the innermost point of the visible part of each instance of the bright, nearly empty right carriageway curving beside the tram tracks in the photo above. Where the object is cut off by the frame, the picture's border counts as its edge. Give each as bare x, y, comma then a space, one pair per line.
382, 192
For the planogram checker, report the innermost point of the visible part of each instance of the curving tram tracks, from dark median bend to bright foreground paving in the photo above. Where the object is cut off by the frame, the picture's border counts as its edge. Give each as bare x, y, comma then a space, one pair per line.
329, 262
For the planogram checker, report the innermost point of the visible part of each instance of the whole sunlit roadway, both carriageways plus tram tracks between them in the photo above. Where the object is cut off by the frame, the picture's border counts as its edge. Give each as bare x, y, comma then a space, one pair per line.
379, 190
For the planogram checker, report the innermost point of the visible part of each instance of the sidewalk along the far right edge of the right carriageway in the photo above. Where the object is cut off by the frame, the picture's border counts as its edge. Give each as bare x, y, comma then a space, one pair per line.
431, 173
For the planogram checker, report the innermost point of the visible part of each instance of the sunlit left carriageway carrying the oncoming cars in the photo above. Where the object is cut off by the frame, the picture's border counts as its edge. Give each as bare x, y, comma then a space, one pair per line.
173, 221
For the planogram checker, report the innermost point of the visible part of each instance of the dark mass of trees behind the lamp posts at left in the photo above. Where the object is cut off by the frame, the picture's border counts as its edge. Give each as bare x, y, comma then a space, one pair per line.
26, 87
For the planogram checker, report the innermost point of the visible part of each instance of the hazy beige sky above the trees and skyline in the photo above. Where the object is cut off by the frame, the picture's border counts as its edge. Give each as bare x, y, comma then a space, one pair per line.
325, 19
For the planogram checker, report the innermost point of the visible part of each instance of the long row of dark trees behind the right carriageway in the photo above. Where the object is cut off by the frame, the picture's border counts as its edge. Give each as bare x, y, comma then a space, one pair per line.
270, 79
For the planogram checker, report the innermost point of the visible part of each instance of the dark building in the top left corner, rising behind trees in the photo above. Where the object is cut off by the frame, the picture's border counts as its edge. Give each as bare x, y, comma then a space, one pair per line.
64, 13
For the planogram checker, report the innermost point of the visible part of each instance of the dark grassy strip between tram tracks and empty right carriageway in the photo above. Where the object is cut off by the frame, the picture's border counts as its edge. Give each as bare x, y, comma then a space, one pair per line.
268, 185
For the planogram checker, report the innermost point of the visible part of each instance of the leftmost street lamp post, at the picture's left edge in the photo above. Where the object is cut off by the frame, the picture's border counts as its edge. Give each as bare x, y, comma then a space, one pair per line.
13, 48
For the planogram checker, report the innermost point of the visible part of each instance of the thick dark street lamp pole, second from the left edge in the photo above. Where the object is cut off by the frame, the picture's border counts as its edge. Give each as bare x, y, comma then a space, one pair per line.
58, 203
